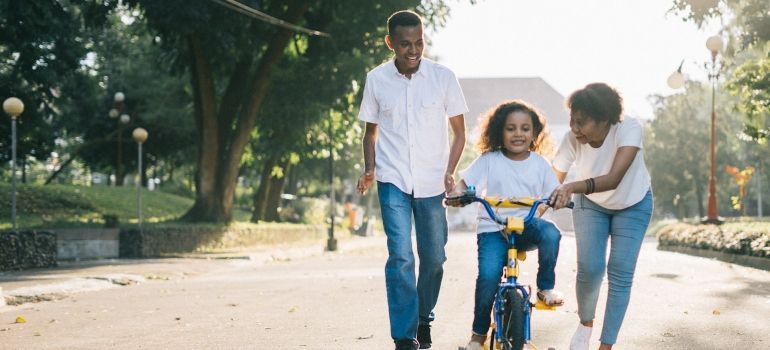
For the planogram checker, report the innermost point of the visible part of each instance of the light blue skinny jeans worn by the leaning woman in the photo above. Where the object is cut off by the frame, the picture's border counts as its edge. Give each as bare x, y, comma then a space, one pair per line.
624, 229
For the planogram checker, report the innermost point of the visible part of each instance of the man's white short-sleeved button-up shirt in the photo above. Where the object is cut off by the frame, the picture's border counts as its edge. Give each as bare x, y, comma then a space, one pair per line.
412, 147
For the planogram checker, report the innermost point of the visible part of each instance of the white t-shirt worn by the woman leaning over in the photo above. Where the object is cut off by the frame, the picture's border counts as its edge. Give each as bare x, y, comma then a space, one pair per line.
592, 162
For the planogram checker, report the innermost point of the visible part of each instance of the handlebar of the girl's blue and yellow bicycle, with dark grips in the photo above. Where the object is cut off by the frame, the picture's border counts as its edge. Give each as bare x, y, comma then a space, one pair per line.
470, 196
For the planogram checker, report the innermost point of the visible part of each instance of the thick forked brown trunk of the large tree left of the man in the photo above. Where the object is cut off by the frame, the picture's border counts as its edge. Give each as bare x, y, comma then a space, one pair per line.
221, 146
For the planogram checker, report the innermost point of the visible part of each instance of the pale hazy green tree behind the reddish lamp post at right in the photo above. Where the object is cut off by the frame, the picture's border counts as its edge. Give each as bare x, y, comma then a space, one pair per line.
676, 151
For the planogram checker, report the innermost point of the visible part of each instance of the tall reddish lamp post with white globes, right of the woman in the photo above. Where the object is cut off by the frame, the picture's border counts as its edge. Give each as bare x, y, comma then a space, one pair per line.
714, 45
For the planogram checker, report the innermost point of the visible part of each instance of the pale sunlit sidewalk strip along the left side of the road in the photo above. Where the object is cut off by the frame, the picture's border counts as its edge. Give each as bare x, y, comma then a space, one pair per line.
38, 285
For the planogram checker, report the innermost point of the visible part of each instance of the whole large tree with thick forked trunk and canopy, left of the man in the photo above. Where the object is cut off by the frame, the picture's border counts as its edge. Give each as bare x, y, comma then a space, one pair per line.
230, 59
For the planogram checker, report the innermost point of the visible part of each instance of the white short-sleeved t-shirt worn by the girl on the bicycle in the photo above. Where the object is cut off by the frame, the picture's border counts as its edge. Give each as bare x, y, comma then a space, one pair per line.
494, 174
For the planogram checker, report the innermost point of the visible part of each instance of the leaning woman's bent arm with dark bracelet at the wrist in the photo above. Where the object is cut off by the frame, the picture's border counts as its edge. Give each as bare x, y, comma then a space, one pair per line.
610, 181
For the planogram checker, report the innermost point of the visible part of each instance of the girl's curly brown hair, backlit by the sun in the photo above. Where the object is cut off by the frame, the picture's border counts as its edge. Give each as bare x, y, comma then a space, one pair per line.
493, 125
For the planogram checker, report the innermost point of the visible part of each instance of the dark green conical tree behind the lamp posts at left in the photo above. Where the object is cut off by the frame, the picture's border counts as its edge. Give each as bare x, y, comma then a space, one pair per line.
126, 58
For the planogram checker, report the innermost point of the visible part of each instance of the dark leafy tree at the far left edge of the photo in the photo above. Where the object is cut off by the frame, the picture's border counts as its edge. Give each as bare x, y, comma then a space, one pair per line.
41, 45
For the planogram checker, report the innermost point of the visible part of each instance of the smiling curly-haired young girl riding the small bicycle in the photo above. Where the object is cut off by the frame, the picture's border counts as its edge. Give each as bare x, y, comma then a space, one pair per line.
508, 167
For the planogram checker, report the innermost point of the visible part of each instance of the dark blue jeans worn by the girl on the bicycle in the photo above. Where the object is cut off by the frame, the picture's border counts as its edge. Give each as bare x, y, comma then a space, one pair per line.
493, 256
